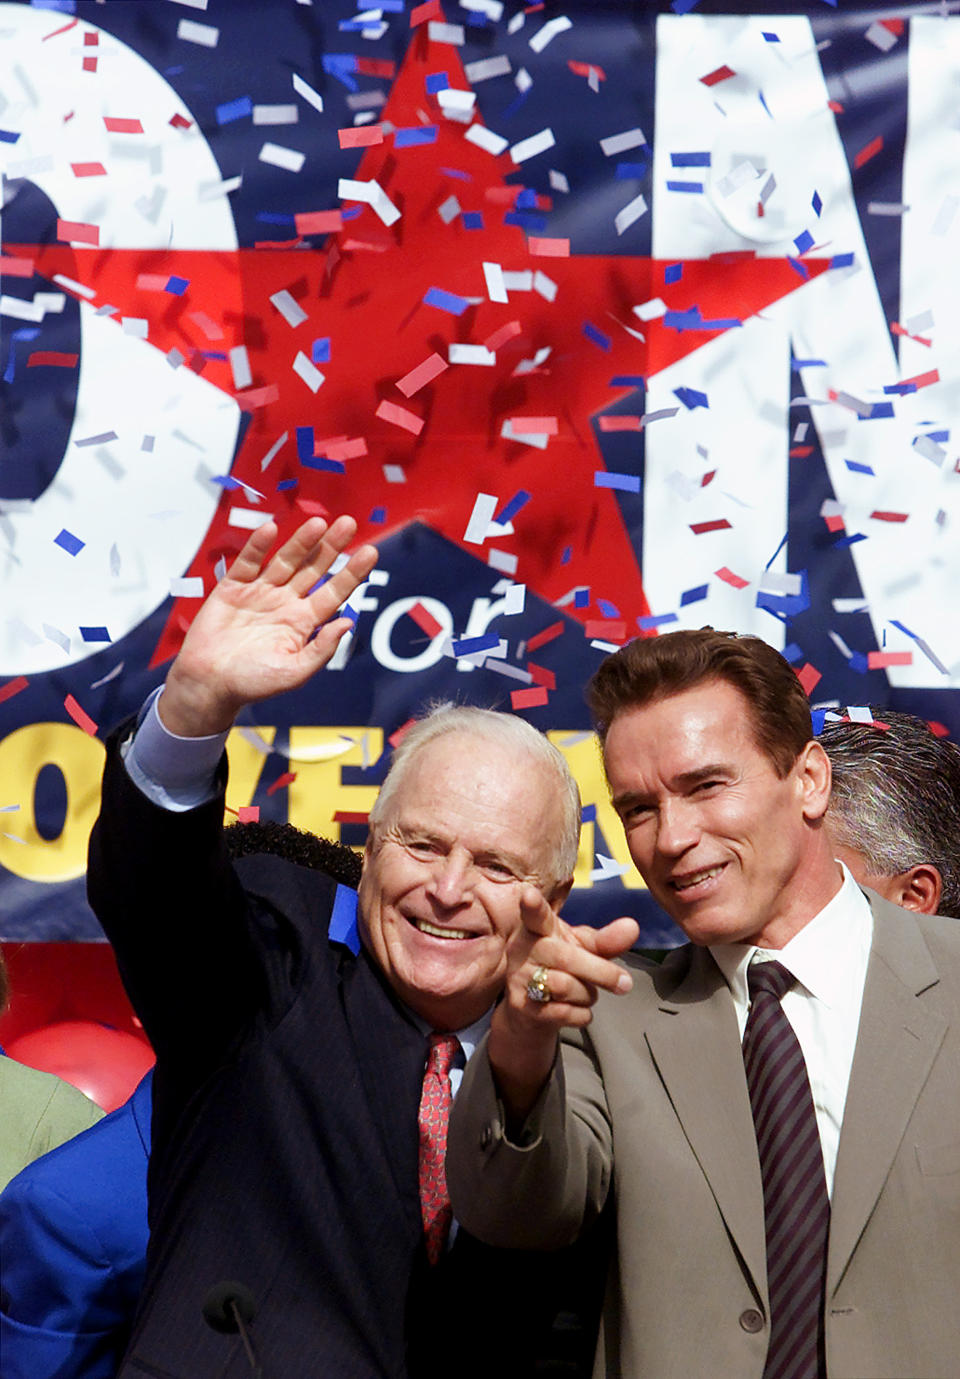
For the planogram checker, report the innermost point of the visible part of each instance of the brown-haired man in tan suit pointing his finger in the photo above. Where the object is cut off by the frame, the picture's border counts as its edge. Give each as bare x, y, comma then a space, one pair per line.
722, 792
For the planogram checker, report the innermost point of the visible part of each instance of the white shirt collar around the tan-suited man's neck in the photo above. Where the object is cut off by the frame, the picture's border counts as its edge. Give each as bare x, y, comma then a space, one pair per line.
828, 956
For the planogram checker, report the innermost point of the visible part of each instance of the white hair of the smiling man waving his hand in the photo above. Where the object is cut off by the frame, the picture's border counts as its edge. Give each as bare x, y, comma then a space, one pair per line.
507, 732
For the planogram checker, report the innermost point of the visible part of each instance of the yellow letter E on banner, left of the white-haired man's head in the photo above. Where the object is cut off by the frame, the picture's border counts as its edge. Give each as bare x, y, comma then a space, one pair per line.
317, 755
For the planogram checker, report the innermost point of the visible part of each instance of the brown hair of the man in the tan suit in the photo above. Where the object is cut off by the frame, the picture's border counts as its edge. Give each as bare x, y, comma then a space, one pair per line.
656, 668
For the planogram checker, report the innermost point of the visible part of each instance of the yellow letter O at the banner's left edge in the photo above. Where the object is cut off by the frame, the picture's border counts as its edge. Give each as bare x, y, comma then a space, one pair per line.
23, 756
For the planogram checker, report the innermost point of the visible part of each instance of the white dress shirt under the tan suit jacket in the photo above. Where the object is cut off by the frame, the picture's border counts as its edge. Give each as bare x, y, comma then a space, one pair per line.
828, 958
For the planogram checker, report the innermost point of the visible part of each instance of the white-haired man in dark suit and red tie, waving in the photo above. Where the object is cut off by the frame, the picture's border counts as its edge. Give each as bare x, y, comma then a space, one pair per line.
308, 1049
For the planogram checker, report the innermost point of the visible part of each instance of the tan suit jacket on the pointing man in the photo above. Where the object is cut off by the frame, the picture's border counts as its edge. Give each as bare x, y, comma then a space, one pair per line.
652, 1101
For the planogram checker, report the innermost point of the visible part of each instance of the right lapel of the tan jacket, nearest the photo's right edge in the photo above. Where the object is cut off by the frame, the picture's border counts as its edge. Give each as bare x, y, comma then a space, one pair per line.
896, 1047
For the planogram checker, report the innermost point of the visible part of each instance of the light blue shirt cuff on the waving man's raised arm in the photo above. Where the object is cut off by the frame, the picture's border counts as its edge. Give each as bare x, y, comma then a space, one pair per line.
174, 773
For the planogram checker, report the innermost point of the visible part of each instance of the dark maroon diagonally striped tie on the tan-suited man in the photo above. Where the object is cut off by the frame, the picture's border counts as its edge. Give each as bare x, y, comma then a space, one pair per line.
795, 1202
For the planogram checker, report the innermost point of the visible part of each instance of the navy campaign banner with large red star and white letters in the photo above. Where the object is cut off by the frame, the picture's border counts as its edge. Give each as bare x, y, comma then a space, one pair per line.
603, 321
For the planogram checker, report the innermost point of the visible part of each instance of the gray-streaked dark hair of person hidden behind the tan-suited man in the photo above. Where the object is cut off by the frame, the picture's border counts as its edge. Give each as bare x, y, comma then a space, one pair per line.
896, 798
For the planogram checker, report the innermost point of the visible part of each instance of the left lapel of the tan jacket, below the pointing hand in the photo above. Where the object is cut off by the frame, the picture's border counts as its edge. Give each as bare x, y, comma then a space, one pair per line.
694, 1042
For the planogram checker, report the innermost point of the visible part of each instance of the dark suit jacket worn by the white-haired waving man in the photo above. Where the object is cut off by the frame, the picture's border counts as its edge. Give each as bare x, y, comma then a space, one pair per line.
285, 1125
